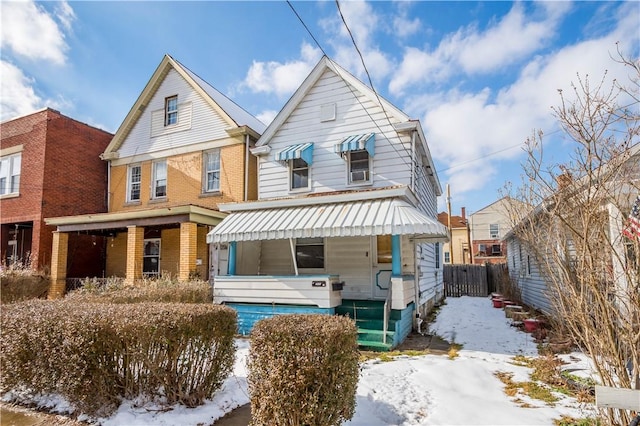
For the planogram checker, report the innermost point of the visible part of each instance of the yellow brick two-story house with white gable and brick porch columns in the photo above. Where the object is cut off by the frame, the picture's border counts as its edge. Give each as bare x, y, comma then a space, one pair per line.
182, 149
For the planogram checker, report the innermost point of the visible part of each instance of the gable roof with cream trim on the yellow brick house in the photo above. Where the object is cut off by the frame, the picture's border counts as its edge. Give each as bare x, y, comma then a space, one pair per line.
228, 110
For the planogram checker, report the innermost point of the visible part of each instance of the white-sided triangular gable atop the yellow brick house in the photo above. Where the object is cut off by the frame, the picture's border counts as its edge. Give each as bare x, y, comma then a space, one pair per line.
198, 121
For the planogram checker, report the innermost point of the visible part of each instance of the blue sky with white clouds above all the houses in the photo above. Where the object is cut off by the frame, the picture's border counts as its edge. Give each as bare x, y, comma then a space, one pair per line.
480, 76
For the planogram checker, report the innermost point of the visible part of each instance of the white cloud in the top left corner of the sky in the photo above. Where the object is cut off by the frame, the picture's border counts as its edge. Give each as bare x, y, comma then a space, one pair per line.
31, 32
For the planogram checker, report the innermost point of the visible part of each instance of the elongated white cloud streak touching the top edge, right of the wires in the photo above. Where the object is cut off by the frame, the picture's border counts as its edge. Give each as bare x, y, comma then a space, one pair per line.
469, 50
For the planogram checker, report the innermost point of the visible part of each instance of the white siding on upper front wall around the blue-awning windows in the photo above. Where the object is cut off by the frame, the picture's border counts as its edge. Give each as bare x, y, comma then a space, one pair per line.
354, 115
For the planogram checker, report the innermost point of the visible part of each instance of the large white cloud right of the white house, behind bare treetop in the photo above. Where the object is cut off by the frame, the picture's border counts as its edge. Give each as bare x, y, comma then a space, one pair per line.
465, 127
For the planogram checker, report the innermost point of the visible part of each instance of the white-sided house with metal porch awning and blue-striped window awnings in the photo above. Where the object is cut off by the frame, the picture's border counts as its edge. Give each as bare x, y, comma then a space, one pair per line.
346, 216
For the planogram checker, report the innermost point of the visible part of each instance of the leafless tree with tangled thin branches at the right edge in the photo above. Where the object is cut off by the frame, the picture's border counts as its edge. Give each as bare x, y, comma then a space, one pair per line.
577, 225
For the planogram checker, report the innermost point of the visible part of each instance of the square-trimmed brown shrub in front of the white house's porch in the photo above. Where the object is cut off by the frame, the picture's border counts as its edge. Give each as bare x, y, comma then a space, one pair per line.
303, 370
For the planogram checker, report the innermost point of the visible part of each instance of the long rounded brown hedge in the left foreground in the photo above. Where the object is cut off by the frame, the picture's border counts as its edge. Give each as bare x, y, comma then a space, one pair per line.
96, 354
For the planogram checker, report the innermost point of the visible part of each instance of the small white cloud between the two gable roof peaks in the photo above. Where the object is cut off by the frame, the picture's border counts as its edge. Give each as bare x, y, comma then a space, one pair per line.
281, 78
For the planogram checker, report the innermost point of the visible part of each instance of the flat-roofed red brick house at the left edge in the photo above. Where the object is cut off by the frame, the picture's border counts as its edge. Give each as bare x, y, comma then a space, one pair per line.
50, 166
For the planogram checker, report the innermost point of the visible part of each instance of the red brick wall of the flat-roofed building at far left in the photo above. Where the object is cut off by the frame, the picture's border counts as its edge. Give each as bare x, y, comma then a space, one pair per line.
61, 174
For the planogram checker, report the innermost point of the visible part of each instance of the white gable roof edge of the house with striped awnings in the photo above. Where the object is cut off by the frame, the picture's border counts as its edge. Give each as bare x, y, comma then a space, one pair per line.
325, 64
